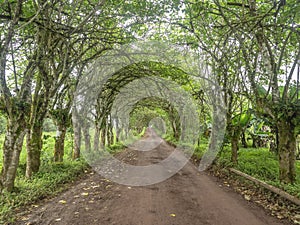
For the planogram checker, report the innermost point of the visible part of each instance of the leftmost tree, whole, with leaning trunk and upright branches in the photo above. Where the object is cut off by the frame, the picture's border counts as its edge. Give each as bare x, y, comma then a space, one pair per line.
15, 101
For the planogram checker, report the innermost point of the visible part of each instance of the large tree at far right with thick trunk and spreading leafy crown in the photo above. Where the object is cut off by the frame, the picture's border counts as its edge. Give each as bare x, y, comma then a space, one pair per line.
265, 37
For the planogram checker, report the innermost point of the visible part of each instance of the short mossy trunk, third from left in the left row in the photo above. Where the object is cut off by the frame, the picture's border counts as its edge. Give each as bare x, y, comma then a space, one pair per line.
59, 147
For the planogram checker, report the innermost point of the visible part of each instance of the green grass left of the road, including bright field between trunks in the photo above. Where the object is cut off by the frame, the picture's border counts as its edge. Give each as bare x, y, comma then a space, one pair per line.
50, 180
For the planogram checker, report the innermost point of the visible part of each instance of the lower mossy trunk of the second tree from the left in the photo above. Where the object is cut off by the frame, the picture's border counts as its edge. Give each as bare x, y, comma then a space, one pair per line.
34, 147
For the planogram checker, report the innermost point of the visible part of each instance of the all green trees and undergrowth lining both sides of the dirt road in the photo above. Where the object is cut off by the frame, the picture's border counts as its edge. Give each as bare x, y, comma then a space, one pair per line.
249, 49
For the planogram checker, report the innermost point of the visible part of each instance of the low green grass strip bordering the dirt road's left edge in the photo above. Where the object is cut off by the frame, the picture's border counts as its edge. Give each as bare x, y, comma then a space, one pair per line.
50, 180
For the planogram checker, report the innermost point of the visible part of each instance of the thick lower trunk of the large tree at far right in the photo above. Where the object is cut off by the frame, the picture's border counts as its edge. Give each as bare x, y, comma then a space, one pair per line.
286, 152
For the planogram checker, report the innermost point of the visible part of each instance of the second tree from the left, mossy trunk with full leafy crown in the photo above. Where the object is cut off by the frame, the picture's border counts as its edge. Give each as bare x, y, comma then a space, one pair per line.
66, 41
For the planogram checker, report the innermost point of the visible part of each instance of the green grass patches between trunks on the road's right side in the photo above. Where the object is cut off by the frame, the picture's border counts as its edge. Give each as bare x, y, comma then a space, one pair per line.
260, 163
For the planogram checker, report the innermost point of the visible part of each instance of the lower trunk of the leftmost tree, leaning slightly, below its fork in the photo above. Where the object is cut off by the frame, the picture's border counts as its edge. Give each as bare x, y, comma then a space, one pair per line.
12, 148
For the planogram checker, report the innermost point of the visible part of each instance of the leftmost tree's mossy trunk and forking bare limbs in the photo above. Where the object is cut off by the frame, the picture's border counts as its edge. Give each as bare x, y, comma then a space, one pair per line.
13, 108
